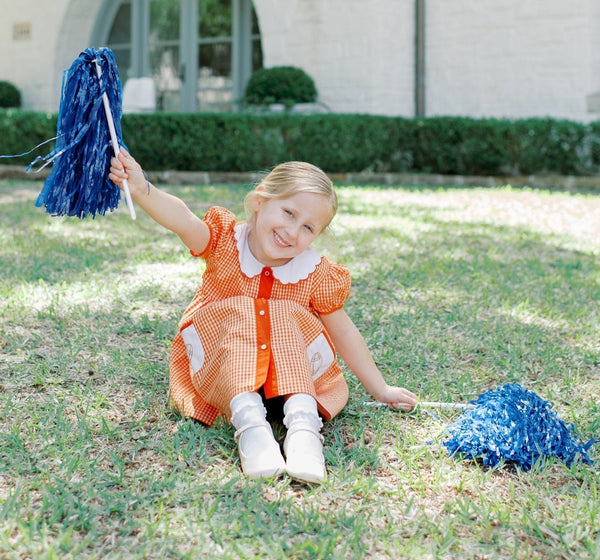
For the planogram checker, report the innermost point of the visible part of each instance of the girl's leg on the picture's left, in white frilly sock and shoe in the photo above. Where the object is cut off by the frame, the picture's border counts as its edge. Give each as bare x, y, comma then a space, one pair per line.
260, 454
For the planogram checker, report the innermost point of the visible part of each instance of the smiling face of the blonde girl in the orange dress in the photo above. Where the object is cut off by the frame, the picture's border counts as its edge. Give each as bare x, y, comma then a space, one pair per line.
284, 228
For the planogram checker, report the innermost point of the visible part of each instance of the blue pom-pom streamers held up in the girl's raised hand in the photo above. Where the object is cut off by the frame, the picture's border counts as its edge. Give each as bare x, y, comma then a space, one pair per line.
78, 184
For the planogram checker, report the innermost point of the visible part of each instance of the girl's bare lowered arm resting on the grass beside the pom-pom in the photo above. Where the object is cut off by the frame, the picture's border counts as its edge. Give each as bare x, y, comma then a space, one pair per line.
351, 346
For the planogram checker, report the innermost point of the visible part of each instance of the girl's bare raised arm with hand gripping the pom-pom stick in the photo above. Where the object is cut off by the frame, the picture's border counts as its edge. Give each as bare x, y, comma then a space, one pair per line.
167, 210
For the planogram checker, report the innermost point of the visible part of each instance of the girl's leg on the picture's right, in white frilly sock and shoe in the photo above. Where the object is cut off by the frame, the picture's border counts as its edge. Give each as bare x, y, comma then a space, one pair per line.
303, 443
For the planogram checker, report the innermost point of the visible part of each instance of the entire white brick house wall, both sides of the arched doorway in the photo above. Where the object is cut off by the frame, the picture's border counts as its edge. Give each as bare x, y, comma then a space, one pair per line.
502, 58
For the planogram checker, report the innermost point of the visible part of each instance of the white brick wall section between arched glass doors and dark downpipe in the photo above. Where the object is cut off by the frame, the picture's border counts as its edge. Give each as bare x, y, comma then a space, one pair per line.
360, 53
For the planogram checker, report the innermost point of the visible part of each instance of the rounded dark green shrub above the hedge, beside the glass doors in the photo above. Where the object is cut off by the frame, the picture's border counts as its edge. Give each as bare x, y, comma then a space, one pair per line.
280, 84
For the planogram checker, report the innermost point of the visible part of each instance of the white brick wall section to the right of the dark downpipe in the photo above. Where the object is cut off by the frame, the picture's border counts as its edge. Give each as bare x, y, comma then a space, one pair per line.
513, 58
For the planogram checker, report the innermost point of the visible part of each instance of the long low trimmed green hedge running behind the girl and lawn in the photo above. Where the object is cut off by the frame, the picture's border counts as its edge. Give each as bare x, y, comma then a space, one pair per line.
338, 143
